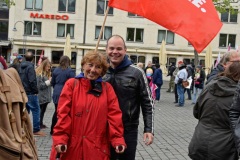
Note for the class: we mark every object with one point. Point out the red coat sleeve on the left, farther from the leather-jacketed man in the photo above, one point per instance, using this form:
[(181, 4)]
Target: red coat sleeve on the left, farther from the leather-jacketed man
[(63, 127)]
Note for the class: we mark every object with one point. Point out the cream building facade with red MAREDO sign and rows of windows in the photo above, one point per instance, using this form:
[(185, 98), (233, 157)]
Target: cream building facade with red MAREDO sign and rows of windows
[(42, 26)]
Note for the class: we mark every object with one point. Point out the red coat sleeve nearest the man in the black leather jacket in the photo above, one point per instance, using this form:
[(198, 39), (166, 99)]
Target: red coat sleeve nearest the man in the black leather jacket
[(114, 118)]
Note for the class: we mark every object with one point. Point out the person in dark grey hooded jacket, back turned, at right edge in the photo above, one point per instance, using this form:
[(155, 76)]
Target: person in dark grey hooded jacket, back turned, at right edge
[(213, 136)]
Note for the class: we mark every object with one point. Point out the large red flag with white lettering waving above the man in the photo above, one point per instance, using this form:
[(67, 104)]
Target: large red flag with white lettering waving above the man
[(195, 20)]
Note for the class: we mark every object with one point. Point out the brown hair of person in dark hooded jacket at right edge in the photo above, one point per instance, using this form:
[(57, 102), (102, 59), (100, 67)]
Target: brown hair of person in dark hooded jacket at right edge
[(233, 71)]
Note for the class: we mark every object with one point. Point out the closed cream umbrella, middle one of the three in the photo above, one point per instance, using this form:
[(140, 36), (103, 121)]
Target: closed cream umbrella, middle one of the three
[(163, 57)]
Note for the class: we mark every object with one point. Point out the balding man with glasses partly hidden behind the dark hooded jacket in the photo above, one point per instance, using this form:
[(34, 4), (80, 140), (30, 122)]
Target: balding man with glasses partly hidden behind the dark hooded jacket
[(224, 63)]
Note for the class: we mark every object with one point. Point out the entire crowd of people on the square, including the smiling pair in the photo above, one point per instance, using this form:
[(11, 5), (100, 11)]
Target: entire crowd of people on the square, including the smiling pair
[(97, 111)]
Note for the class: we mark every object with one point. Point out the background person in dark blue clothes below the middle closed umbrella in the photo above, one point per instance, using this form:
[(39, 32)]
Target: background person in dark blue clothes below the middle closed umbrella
[(157, 79)]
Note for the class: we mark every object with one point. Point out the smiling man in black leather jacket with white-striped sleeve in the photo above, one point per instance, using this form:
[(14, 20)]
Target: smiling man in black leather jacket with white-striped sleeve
[(131, 87)]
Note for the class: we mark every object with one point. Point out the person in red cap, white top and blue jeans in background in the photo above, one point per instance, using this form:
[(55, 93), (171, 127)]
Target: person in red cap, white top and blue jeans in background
[(181, 76)]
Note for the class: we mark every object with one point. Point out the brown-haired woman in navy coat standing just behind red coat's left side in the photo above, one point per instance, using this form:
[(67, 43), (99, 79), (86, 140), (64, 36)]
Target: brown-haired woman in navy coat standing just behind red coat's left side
[(59, 76)]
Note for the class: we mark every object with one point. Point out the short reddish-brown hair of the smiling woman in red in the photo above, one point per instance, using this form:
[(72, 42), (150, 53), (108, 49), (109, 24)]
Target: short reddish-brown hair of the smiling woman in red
[(96, 57)]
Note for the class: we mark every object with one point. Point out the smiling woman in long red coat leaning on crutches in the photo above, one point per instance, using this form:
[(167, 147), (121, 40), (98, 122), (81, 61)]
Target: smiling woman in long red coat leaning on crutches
[(89, 115)]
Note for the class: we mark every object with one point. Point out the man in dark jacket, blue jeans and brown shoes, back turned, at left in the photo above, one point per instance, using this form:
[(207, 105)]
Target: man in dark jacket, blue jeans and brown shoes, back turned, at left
[(29, 81)]
